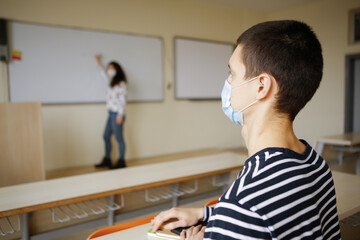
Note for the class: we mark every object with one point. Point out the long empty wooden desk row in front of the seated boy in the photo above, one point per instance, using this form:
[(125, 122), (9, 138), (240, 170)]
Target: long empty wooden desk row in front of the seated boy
[(25, 198)]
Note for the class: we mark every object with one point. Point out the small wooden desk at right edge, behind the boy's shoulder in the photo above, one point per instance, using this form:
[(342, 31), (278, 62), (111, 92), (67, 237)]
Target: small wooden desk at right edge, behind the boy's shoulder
[(344, 142)]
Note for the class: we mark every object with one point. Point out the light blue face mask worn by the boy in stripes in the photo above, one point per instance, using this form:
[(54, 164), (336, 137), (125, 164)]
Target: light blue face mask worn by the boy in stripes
[(235, 116)]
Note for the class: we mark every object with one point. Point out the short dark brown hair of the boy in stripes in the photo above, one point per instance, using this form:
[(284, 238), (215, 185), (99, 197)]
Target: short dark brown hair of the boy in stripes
[(290, 52)]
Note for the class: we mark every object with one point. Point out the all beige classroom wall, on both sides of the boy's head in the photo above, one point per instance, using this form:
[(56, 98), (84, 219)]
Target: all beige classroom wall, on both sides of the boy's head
[(72, 133)]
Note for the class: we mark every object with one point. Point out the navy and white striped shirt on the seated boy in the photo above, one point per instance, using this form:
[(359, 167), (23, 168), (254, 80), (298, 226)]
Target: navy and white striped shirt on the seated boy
[(279, 194)]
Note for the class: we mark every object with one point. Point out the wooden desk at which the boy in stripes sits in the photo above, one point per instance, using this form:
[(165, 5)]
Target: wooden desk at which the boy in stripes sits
[(347, 195)]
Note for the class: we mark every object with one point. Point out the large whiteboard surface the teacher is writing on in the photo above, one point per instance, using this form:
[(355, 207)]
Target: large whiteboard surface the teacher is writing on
[(58, 66)]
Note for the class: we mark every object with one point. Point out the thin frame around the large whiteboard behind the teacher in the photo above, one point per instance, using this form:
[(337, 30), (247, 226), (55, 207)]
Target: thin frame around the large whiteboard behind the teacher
[(88, 29)]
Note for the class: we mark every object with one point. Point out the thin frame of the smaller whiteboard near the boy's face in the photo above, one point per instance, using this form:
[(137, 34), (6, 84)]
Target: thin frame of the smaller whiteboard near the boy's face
[(175, 68)]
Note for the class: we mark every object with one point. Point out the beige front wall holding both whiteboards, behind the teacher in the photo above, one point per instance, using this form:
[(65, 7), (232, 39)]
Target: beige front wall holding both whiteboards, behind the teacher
[(73, 133)]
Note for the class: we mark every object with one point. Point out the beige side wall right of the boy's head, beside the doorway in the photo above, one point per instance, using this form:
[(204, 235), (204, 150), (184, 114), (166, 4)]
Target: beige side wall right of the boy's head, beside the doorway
[(324, 114)]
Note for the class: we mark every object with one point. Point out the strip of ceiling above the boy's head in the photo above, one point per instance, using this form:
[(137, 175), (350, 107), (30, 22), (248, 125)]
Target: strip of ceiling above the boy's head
[(260, 5)]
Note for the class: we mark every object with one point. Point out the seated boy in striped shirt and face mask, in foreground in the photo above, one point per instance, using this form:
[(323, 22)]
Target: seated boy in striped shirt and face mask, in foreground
[(285, 190)]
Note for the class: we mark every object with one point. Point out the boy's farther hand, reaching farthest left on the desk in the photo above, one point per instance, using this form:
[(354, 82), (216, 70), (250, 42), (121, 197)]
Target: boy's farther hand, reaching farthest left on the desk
[(177, 217)]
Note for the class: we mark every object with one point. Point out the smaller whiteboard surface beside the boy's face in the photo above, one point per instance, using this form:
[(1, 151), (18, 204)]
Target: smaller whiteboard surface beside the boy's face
[(200, 68)]
